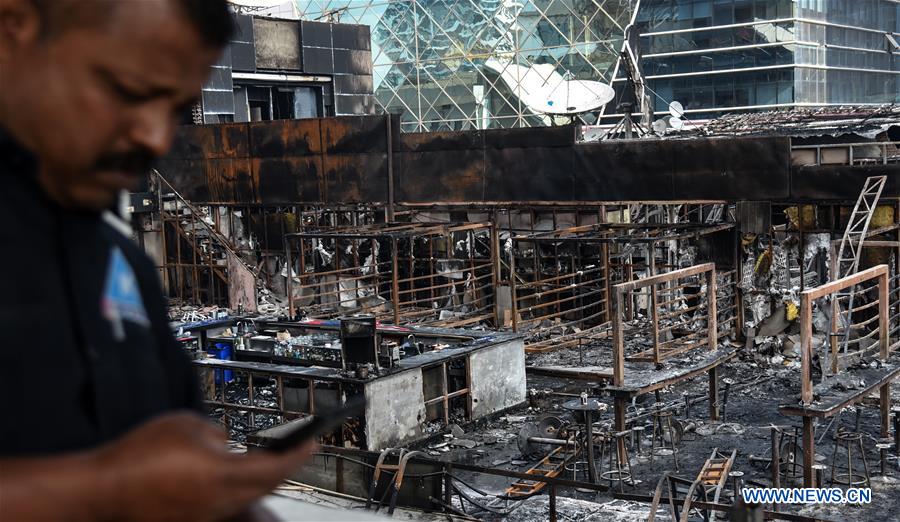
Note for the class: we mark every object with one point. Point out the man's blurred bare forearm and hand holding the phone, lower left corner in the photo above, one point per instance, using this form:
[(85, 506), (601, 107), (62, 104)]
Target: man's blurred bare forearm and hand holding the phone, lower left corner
[(175, 467)]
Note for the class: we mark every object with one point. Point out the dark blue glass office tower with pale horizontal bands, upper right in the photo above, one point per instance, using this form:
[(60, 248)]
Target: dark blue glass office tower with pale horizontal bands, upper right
[(717, 56)]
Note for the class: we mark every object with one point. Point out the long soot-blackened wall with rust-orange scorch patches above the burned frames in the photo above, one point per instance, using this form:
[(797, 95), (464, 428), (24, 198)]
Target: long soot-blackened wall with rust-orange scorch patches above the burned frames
[(344, 160)]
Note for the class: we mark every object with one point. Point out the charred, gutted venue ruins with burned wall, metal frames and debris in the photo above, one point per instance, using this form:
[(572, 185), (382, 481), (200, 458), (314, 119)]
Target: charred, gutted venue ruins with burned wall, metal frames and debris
[(547, 326)]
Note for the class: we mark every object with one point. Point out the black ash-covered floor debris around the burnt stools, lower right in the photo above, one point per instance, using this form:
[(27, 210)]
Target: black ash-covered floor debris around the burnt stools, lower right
[(758, 386)]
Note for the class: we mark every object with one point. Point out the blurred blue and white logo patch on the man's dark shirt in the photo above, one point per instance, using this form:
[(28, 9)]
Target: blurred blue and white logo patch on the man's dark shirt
[(122, 296)]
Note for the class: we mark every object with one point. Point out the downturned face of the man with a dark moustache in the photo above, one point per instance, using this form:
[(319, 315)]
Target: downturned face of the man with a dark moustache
[(97, 103)]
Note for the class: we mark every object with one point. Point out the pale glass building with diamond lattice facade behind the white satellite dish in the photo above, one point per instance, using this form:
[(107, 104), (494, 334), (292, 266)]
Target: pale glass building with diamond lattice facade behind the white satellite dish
[(429, 55)]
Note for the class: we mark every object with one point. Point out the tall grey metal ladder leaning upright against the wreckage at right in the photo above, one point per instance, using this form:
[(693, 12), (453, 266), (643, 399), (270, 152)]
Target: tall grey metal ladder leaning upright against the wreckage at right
[(852, 246)]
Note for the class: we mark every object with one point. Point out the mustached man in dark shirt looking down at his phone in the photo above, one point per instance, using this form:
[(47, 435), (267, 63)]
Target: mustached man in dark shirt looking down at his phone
[(101, 413)]
